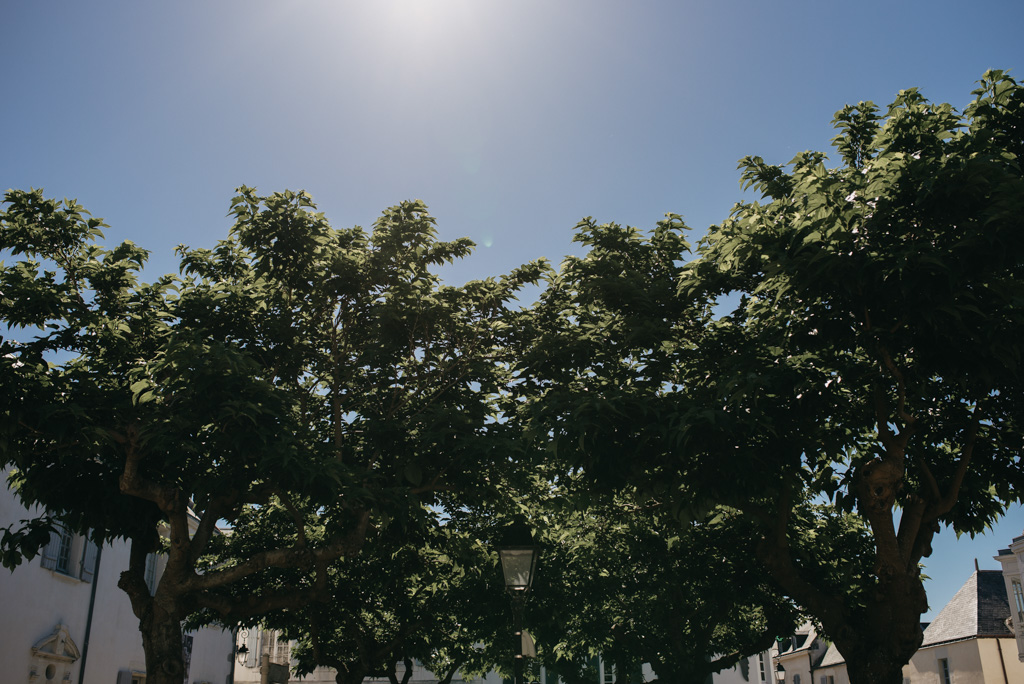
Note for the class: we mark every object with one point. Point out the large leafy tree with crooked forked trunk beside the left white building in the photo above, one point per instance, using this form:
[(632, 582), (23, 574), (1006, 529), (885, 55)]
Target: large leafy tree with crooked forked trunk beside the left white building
[(327, 371)]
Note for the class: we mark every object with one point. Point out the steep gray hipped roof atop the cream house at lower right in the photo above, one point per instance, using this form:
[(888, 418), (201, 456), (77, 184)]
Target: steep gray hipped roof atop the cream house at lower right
[(978, 610)]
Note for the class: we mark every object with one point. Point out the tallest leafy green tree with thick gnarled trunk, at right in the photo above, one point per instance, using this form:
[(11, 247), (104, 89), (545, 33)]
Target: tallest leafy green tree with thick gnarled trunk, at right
[(855, 339)]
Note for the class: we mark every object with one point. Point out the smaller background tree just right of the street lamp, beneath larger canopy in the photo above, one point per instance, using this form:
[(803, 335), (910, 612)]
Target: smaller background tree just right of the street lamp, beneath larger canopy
[(627, 582)]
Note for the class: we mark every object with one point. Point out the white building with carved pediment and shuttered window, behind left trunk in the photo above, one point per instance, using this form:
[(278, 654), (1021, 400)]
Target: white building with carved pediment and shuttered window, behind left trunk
[(65, 621)]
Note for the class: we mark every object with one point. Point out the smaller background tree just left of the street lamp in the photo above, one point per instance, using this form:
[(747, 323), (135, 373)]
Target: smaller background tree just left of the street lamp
[(425, 593)]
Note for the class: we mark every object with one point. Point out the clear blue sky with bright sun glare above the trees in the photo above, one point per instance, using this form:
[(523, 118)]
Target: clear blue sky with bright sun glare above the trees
[(511, 120)]
